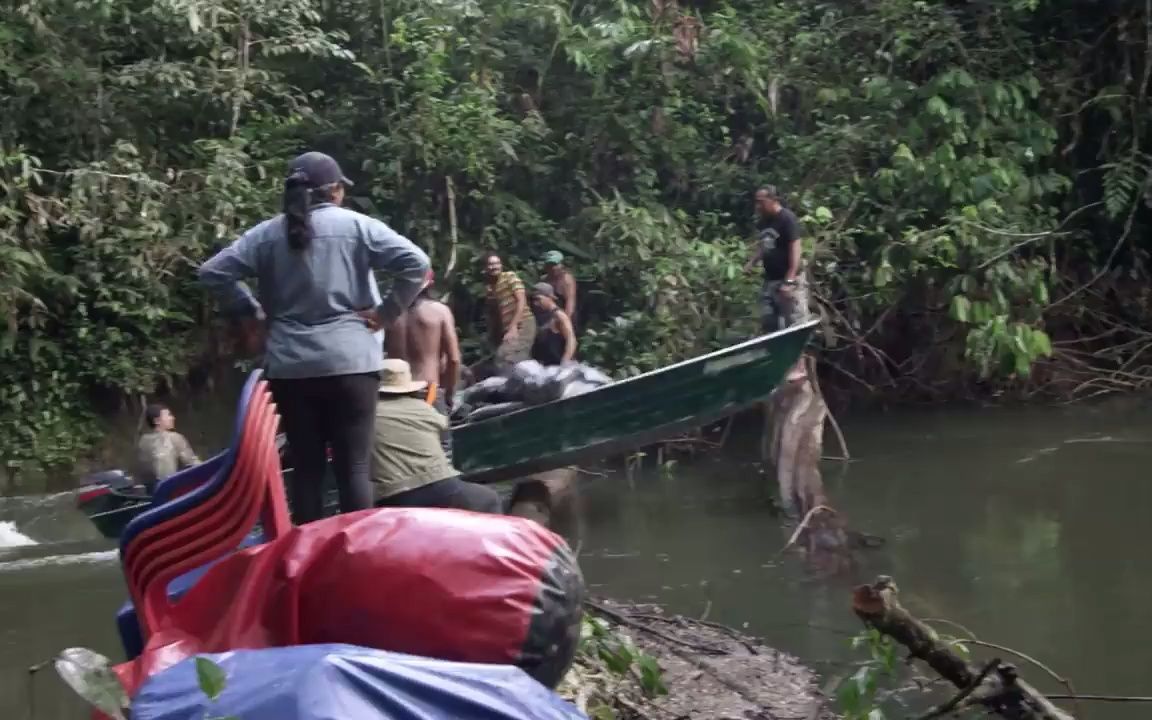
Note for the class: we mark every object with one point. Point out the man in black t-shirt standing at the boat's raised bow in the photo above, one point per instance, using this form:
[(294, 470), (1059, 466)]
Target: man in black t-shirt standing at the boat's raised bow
[(784, 298)]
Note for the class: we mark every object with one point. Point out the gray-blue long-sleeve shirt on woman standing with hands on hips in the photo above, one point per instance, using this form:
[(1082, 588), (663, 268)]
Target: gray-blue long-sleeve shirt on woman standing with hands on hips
[(312, 298)]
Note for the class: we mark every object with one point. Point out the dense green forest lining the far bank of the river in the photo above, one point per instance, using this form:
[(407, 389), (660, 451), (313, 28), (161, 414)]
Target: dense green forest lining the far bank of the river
[(974, 176)]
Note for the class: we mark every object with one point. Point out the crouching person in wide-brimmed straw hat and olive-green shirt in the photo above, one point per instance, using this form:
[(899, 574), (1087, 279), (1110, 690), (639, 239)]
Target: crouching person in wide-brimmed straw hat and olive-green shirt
[(410, 466)]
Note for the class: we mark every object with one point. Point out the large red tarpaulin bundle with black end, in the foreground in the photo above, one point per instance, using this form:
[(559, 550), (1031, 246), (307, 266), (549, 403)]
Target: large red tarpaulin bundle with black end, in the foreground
[(431, 582)]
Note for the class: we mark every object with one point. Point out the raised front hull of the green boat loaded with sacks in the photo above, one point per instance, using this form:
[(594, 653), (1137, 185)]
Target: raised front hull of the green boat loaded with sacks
[(628, 414)]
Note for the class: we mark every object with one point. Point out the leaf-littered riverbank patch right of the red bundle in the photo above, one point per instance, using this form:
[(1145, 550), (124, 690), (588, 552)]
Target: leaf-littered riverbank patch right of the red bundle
[(640, 663)]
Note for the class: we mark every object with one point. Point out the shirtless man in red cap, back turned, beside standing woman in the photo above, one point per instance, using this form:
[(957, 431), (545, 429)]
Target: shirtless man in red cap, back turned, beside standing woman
[(426, 336)]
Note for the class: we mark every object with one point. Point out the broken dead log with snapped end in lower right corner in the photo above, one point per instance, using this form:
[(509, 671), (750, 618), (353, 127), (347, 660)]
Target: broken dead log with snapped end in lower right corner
[(995, 688)]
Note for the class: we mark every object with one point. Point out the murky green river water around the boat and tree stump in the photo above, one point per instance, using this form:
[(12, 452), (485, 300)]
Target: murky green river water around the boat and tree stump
[(1026, 526)]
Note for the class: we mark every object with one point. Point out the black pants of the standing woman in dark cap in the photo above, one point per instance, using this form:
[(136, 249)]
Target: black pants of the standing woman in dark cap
[(319, 413)]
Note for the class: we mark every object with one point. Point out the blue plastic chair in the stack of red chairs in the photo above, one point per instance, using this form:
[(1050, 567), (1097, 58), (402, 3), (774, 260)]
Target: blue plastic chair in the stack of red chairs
[(206, 480)]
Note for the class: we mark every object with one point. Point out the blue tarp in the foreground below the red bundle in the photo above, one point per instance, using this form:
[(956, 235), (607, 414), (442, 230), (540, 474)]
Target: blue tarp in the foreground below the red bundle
[(345, 683)]
